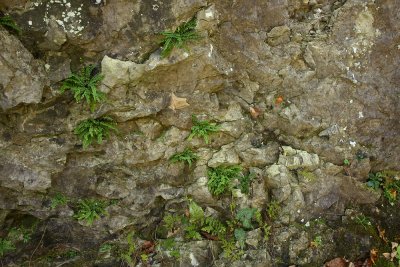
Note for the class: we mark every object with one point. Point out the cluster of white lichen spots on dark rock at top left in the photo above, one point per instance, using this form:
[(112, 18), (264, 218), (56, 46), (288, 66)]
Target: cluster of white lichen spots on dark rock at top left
[(67, 16)]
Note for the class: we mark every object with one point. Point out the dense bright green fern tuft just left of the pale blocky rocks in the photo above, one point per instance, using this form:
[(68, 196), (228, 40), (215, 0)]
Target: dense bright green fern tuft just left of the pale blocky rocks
[(220, 178)]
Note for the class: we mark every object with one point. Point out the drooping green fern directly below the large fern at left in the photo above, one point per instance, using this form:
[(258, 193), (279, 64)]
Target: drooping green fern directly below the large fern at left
[(95, 129)]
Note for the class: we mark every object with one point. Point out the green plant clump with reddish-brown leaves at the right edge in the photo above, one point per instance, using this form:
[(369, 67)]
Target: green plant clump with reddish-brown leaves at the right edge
[(388, 181)]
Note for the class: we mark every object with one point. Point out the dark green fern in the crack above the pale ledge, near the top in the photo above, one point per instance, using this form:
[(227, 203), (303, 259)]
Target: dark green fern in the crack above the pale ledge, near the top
[(178, 38)]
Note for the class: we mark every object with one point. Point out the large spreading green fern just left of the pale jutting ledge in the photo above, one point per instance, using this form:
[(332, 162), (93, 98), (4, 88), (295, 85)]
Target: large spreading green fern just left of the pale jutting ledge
[(84, 86)]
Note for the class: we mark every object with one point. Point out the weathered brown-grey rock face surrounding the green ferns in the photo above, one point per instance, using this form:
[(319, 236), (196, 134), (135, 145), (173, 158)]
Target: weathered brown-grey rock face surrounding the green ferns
[(294, 87)]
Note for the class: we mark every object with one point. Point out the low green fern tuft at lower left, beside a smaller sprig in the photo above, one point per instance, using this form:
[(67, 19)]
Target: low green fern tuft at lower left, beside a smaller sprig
[(90, 210)]
